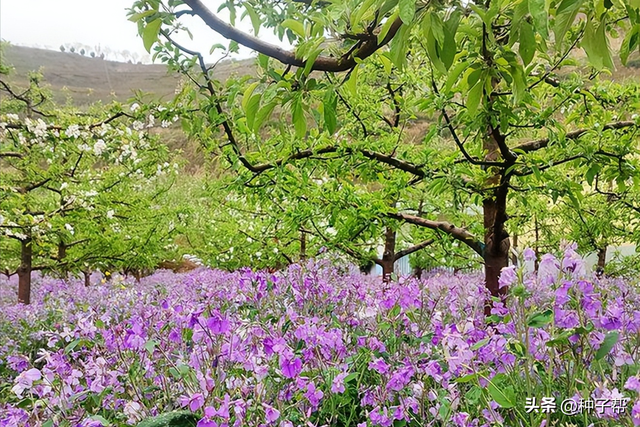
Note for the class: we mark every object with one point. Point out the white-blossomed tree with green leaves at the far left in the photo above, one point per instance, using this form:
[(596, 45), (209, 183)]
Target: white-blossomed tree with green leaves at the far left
[(77, 187)]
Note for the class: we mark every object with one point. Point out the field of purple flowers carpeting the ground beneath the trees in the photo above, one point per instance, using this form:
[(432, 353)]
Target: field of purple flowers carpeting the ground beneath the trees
[(320, 344)]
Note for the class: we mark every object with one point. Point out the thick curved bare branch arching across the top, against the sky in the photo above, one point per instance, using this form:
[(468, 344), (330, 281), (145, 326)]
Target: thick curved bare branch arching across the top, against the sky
[(322, 63)]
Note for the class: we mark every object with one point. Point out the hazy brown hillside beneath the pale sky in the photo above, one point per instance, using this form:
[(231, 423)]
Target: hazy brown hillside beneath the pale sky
[(86, 80)]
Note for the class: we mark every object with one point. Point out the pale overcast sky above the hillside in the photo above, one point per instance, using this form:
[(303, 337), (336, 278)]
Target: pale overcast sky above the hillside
[(94, 23)]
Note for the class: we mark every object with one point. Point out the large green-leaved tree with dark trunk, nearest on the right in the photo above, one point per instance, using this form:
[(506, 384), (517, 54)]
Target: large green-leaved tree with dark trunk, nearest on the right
[(498, 79)]
